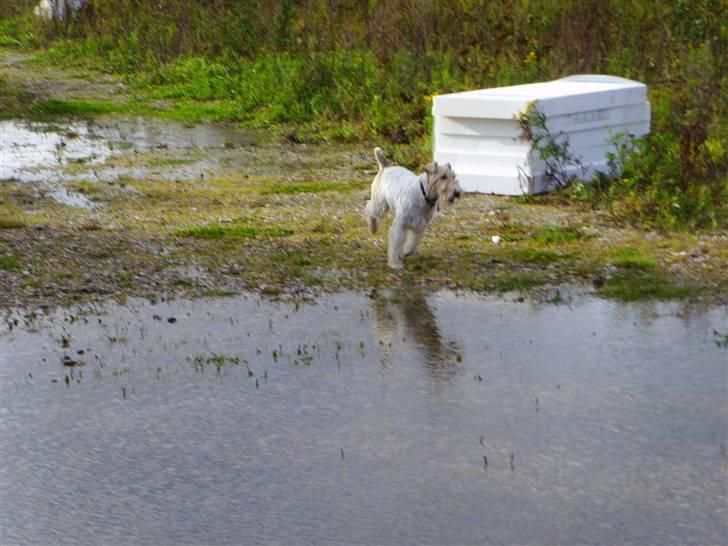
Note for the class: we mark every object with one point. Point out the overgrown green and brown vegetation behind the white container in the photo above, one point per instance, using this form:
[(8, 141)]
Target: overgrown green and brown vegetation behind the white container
[(368, 69)]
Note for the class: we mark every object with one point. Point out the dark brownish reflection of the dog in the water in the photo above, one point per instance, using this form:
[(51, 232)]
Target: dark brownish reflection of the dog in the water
[(402, 319)]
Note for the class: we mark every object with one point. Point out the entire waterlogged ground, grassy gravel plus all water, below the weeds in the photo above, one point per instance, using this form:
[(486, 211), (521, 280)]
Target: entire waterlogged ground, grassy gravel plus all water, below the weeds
[(201, 343)]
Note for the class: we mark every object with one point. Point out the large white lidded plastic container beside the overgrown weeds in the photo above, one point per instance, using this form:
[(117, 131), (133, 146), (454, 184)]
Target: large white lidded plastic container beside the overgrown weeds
[(479, 133)]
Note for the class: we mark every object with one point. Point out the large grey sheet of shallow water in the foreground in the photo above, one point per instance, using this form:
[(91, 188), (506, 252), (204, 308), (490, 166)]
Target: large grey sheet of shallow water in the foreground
[(358, 420)]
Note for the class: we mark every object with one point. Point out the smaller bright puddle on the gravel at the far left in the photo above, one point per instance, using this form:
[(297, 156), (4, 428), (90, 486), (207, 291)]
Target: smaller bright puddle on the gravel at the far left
[(40, 152)]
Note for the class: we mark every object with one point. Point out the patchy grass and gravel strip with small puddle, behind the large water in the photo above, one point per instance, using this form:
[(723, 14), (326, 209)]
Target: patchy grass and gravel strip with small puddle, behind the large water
[(112, 205)]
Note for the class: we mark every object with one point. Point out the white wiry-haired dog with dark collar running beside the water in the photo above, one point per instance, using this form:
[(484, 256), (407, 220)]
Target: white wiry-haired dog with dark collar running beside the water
[(412, 199)]
